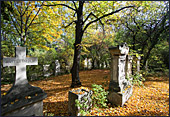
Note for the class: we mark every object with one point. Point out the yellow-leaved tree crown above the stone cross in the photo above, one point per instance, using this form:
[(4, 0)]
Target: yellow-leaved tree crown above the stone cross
[(30, 24)]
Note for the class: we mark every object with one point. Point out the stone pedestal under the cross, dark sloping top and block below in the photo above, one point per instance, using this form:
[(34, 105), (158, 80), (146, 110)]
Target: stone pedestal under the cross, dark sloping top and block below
[(23, 100)]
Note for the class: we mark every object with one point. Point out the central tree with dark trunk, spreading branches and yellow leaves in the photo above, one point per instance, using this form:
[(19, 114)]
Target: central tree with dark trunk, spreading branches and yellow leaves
[(83, 23)]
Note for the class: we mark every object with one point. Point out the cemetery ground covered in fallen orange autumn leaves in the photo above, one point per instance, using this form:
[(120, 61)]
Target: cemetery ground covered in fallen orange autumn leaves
[(150, 100)]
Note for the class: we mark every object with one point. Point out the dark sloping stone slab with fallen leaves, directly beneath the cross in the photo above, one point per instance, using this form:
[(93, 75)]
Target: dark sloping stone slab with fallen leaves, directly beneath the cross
[(20, 93)]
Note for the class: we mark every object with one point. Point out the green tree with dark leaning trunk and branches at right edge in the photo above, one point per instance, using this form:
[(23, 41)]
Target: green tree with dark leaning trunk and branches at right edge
[(144, 28)]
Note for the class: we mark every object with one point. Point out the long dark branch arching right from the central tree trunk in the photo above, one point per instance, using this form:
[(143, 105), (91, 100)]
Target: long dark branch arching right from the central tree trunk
[(106, 16)]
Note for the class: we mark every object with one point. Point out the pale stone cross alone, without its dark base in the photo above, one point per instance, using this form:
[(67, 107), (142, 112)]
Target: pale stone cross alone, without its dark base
[(20, 61)]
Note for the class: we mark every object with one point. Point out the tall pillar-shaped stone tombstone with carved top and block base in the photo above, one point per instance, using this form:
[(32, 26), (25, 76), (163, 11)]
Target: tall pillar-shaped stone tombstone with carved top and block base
[(120, 89)]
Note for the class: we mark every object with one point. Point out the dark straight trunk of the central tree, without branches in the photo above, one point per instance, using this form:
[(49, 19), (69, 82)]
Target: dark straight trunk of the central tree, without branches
[(77, 47)]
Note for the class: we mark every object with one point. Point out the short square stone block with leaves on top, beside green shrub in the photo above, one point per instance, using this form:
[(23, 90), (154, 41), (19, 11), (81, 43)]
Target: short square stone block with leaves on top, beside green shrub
[(83, 96)]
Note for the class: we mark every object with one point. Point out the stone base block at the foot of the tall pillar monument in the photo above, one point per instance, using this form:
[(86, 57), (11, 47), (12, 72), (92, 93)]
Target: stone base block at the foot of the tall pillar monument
[(119, 98)]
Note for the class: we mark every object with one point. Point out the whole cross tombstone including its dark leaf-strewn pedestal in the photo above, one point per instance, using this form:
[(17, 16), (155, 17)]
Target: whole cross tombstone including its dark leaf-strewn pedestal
[(22, 99)]
